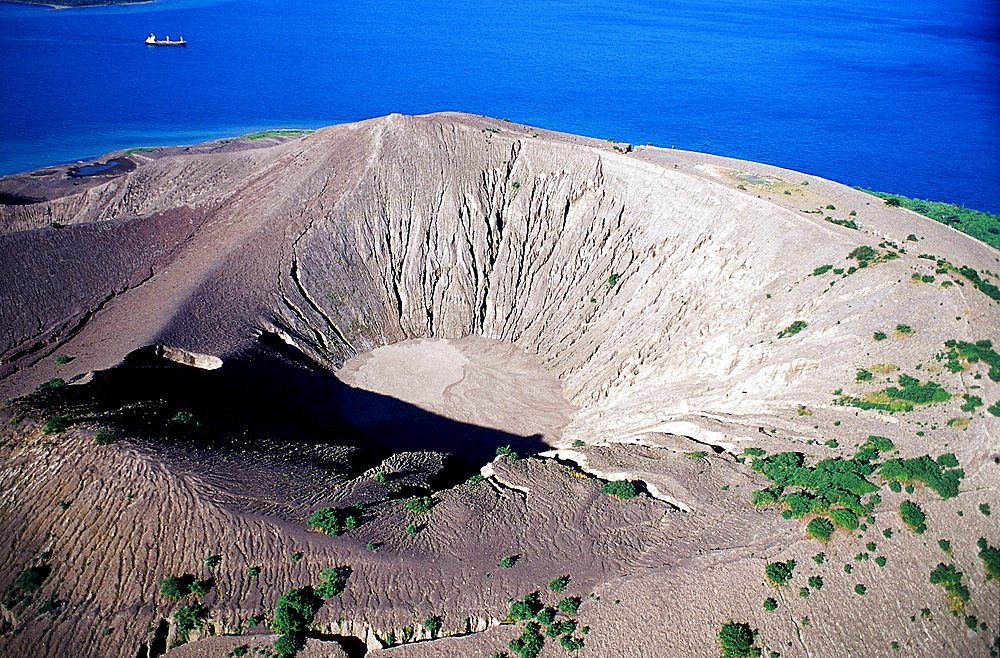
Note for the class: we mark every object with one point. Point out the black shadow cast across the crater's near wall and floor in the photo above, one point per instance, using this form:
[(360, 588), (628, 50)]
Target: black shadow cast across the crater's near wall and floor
[(272, 396)]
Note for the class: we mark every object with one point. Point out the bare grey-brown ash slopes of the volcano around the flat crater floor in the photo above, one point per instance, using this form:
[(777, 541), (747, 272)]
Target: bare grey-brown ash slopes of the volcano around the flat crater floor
[(652, 284)]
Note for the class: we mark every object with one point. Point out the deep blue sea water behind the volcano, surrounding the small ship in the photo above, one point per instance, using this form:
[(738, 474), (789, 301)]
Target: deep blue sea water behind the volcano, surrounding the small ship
[(896, 96)]
